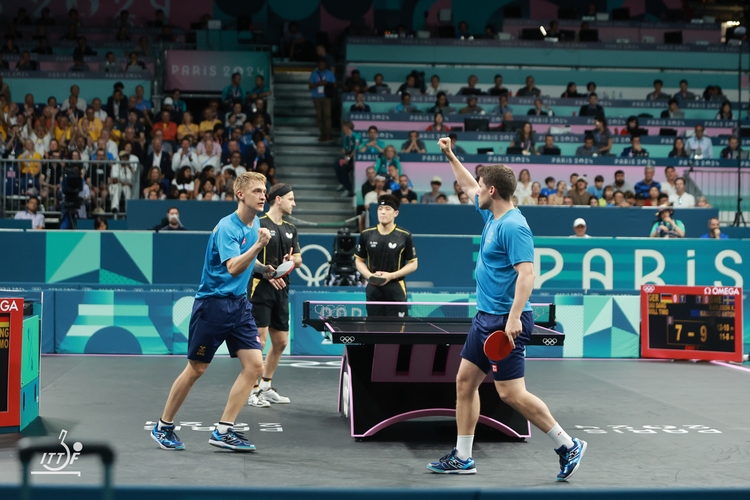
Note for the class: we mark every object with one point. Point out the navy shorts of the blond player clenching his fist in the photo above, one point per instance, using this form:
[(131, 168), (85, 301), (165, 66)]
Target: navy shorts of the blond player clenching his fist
[(221, 319)]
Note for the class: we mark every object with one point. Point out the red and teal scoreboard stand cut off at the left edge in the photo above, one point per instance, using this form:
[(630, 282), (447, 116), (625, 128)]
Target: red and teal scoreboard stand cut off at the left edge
[(19, 366)]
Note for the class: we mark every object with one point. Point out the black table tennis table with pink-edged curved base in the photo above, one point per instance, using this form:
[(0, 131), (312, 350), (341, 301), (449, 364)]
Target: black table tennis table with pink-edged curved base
[(399, 368)]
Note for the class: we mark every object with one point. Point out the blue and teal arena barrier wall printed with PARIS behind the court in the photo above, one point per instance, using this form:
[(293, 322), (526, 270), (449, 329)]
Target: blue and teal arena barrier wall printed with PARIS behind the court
[(132, 292)]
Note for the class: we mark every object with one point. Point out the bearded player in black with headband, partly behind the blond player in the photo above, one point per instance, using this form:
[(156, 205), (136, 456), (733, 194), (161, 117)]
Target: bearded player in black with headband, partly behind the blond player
[(270, 299)]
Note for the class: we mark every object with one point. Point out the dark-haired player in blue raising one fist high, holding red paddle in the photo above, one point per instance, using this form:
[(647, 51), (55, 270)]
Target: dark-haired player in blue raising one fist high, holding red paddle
[(505, 278)]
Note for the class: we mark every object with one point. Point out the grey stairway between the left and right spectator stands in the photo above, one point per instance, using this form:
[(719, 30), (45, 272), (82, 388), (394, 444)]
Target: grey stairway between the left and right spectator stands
[(301, 160)]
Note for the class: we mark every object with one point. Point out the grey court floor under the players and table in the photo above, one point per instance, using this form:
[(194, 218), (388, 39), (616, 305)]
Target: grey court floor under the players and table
[(112, 398)]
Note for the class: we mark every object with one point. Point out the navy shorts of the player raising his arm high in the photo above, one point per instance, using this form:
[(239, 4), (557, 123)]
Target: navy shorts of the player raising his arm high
[(482, 326)]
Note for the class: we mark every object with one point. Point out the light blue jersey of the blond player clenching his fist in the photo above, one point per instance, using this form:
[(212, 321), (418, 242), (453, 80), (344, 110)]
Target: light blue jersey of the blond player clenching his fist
[(230, 238)]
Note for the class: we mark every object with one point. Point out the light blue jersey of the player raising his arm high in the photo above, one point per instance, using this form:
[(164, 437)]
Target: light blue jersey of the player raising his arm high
[(505, 242)]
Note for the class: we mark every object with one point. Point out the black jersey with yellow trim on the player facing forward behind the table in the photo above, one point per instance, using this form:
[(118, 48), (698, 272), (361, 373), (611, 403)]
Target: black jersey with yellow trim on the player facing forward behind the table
[(386, 252)]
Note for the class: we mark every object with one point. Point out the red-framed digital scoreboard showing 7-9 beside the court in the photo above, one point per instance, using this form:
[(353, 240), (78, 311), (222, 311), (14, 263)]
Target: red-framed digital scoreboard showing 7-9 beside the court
[(691, 322)]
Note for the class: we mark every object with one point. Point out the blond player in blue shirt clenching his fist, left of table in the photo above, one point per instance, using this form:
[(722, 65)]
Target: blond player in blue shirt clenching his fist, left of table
[(222, 313)]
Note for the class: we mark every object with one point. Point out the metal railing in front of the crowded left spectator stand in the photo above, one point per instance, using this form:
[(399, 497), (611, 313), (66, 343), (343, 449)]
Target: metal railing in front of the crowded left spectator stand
[(47, 179)]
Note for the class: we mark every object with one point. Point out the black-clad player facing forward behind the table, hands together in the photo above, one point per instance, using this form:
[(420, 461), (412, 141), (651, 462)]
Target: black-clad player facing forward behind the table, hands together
[(388, 251)]
